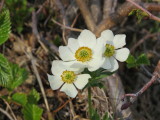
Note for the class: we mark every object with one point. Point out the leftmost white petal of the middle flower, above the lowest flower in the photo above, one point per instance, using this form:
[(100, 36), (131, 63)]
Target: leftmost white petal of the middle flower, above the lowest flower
[(66, 54)]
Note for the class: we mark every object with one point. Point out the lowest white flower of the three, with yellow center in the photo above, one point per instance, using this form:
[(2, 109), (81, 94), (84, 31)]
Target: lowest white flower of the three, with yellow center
[(68, 78)]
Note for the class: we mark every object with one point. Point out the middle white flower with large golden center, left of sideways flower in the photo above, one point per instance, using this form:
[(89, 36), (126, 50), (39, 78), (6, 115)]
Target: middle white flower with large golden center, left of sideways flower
[(82, 52)]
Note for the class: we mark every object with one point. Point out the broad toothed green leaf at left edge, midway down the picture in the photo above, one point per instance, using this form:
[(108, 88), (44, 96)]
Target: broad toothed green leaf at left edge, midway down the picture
[(11, 75)]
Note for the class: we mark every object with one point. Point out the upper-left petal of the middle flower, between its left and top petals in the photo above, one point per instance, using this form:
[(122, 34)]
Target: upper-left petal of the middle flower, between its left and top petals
[(73, 44)]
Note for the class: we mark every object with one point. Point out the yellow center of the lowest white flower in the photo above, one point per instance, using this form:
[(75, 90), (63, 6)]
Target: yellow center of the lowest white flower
[(68, 76)]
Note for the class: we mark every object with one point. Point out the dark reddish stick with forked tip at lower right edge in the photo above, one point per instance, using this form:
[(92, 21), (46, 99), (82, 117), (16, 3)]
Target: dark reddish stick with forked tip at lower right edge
[(133, 97)]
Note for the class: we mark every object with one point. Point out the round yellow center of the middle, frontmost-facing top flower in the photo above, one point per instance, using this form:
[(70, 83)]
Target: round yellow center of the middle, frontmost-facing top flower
[(83, 54)]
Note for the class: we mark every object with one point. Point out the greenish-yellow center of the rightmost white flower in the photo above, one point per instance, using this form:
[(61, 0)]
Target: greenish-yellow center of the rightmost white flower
[(109, 50)]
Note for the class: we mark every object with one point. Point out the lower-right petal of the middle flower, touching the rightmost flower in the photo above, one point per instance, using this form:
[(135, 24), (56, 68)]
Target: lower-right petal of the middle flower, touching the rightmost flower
[(95, 63)]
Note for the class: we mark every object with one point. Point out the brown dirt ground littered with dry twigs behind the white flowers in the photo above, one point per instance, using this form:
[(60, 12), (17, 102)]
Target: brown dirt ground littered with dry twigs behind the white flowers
[(50, 23)]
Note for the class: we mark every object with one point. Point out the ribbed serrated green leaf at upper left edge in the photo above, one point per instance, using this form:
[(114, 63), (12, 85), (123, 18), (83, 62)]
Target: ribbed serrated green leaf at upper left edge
[(5, 26)]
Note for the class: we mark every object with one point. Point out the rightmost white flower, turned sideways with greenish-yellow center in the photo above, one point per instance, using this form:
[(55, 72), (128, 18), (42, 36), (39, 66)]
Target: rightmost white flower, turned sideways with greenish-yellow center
[(110, 48)]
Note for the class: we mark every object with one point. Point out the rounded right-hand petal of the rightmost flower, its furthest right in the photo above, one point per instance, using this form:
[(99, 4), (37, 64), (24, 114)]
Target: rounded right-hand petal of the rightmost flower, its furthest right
[(122, 54)]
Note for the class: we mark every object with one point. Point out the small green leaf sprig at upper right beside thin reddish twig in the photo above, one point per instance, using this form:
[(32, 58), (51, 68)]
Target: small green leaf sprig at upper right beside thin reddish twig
[(139, 14)]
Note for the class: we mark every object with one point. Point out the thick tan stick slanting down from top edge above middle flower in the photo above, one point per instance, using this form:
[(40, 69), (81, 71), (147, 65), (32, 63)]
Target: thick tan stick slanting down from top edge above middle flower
[(86, 14)]
